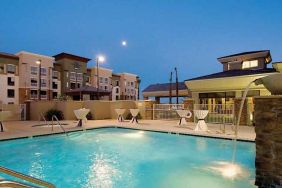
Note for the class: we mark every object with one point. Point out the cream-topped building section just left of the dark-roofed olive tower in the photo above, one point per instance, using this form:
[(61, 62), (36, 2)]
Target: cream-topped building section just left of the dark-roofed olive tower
[(35, 72)]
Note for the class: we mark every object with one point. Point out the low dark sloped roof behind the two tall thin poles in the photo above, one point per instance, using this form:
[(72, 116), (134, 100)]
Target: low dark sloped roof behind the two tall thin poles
[(164, 87)]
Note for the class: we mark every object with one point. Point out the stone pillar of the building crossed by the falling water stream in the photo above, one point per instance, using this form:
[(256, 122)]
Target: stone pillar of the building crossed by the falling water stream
[(244, 115)]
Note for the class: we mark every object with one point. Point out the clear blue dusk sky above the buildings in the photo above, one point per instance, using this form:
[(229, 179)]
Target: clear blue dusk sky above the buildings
[(161, 34)]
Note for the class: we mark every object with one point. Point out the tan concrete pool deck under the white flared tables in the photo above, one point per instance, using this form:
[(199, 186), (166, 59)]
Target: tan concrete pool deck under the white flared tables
[(21, 129)]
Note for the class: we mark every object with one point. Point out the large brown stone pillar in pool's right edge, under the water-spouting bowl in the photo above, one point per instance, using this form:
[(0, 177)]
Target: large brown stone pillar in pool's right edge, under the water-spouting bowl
[(268, 128)]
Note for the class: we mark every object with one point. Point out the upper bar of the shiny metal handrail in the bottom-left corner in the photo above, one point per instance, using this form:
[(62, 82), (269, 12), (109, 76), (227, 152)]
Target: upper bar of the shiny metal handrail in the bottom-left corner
[(25, 177)]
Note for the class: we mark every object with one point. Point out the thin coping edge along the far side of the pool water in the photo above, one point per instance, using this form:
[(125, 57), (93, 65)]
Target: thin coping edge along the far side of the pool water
[(130, 128)]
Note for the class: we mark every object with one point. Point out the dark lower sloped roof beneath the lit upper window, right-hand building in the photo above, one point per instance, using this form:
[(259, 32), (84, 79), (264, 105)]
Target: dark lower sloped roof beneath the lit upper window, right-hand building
[(233, 73)]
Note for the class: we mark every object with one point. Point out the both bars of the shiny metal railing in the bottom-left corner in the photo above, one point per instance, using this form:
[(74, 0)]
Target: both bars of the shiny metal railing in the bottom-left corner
[(7, 183)]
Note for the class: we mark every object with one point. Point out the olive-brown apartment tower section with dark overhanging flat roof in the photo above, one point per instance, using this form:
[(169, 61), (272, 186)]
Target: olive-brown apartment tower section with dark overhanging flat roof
[(73, 71)]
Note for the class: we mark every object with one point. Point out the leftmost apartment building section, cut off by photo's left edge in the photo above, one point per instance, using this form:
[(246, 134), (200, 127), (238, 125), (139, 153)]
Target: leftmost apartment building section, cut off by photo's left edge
[(9, 78)]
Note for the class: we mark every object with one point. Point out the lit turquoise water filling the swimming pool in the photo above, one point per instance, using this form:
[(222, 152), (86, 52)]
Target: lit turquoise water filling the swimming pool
[(113, 157)]
